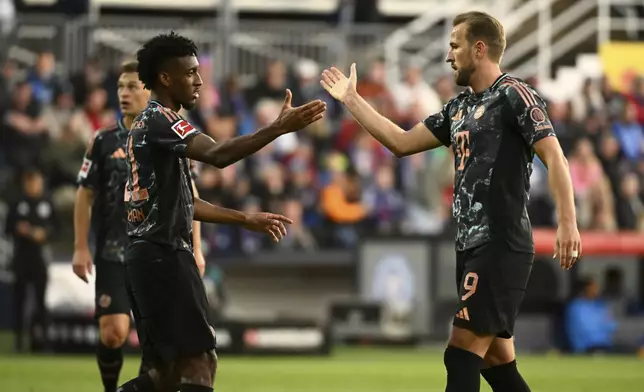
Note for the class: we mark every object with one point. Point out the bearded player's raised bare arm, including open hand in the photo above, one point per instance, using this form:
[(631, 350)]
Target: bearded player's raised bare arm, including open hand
[(398, 141)]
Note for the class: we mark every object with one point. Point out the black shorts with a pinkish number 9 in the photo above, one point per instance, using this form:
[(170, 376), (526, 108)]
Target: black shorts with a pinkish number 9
[(491, 280)]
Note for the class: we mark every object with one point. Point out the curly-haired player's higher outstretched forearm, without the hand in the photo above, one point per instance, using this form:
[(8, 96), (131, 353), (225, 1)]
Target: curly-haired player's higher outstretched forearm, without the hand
[(228, 152)]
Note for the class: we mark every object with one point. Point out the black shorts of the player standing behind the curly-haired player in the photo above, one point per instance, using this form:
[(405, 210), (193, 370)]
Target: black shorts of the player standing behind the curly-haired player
[(110, 289)]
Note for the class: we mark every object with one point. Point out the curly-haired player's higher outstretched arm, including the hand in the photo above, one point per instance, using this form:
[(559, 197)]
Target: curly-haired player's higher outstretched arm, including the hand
[(204, 149)]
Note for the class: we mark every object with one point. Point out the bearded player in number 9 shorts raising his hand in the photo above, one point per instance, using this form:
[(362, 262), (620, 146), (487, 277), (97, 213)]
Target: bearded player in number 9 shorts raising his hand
[(494, 128)]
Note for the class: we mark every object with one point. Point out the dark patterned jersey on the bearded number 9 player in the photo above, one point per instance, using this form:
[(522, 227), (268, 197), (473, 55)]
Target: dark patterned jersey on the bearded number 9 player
[(492, 134)]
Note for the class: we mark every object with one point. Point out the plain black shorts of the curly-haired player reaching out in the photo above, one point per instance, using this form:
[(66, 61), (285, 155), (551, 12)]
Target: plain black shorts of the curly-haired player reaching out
[(169, 302)]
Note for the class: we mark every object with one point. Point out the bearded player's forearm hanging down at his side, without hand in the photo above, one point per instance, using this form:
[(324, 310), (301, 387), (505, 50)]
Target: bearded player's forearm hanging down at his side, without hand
[(561, 187)]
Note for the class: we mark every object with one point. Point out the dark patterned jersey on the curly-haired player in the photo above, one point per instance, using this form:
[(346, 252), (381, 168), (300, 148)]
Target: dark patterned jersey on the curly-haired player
[(159, 196)]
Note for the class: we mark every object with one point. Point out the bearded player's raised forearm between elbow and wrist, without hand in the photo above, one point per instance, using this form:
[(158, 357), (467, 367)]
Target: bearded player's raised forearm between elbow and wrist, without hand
[(380, 127)]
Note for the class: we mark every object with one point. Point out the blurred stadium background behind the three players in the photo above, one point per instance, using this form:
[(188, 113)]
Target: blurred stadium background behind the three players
[(370, 258)]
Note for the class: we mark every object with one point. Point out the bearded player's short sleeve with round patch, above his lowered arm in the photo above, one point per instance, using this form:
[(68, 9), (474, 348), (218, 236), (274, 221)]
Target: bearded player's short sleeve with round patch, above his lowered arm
[(530, 113)]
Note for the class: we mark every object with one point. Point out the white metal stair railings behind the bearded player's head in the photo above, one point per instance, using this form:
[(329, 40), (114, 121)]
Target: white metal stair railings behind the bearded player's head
[(535, 53)]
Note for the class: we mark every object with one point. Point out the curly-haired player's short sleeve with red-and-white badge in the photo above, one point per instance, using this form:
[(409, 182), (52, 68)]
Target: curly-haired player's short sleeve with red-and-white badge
[(171, 132)]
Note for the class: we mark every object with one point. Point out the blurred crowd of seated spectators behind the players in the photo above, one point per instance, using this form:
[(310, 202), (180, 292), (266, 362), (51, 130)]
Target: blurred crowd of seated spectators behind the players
[(333, 179)]
